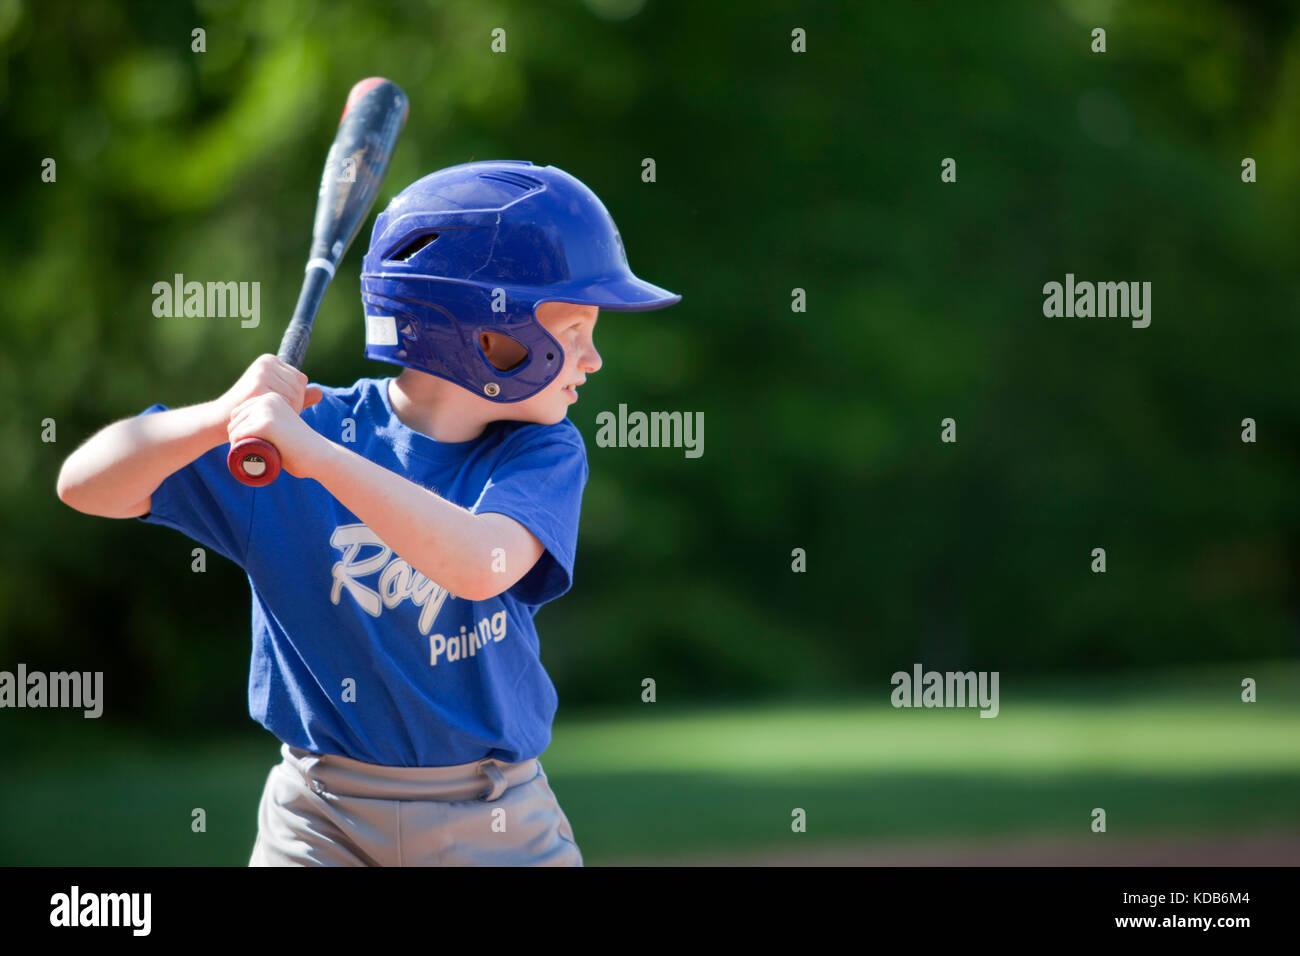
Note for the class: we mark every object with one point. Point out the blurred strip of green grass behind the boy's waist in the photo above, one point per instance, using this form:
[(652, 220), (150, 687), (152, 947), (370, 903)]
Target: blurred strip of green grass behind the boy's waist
[(1162, 755)]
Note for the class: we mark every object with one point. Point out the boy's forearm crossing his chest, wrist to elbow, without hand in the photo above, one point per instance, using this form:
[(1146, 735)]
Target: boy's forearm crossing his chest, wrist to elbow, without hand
[(439, 539)]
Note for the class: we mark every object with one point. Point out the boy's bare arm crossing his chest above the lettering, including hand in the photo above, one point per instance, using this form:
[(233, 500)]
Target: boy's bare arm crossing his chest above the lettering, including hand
[(445, 543)]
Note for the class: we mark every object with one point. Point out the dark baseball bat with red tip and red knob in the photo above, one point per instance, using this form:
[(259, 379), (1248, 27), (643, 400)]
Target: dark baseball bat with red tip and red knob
[(358, 161)]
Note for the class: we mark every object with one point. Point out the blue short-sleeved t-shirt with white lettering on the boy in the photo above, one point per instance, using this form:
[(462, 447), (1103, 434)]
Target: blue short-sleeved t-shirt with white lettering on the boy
[(439, 680)]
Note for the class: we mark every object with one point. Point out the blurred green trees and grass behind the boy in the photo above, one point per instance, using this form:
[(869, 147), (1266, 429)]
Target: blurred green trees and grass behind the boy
[(775, 171)]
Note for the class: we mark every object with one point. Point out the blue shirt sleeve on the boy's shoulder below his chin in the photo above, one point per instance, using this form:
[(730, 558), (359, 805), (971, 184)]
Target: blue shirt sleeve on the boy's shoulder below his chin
[(541, 488)]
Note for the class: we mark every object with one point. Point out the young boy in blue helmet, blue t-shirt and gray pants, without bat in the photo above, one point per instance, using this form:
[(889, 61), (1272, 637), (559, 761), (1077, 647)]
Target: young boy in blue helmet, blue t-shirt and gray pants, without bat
[(418, 526)]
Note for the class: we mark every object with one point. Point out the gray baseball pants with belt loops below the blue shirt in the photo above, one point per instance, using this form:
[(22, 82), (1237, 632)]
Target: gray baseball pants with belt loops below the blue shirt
[(330, 811)]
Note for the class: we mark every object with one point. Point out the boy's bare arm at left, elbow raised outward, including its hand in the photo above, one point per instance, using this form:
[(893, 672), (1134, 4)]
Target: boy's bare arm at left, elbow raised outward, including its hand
[(116, 473)]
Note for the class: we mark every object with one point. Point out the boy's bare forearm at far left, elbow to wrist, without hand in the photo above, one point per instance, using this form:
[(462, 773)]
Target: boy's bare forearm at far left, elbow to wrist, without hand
[(124, 464)]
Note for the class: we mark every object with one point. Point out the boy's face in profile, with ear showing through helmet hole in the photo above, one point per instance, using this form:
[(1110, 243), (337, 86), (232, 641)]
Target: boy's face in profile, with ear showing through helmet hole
[(574, 328)]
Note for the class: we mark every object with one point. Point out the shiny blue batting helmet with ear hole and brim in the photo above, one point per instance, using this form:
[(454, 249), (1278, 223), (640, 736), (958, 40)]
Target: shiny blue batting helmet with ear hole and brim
[(476, 249)]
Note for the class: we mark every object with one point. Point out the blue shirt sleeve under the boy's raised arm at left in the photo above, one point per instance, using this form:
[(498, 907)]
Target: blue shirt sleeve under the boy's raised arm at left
[(206, 503)]
